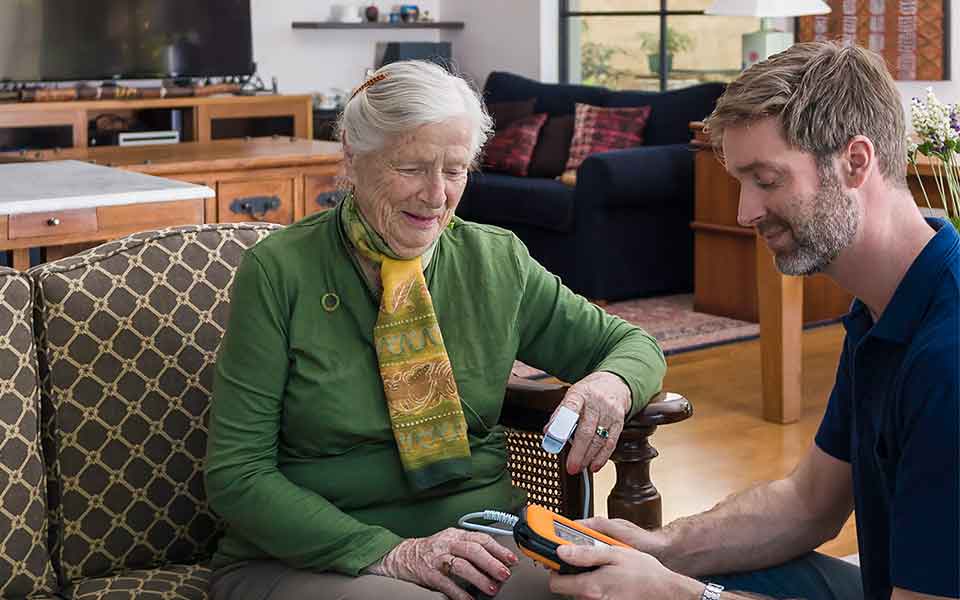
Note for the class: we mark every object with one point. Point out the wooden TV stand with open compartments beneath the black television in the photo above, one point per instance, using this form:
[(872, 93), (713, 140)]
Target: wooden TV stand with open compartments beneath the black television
[(204, 118)]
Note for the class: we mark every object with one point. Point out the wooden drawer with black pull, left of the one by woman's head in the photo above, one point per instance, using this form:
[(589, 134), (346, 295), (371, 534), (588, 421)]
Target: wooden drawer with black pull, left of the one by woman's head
[(260, 200)]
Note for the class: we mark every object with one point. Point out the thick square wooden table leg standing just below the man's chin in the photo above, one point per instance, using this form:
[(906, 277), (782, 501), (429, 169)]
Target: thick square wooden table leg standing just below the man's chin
[(780, 300)]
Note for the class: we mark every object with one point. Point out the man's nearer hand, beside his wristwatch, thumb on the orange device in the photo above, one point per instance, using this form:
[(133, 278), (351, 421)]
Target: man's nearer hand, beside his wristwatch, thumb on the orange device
[(623, 575)]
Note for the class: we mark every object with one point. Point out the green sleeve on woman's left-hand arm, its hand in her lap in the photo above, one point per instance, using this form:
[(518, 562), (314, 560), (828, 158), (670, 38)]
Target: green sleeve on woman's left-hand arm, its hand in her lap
[(244, 484)]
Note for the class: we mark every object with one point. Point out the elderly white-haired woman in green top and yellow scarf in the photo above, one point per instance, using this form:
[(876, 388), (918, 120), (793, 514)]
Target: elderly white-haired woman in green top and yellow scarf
[(360, 382)]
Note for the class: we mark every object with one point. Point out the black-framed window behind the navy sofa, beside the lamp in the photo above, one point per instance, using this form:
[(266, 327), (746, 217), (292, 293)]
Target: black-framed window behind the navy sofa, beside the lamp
[(648, 44)]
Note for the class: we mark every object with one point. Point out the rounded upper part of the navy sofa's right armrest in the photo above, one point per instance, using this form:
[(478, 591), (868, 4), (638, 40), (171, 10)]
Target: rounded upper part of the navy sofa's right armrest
[(651, 177)]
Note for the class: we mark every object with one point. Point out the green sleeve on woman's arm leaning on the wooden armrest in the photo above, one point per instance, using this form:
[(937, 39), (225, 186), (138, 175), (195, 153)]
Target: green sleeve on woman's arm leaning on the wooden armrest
[(564, 334)]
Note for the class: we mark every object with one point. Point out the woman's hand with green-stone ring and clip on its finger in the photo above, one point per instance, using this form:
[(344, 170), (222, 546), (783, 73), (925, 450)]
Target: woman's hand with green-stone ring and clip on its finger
[(602, 400)]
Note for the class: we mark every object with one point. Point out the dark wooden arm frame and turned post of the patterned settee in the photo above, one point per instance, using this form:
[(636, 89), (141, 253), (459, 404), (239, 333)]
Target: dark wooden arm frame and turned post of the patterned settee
[(528, 405)]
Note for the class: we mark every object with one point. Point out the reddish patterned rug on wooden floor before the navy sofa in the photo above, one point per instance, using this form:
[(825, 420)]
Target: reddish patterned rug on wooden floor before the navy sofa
[(675, 325)]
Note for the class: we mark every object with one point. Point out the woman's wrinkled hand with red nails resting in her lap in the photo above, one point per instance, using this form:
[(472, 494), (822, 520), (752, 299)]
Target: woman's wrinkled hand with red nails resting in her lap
[(438, 561)]
